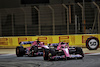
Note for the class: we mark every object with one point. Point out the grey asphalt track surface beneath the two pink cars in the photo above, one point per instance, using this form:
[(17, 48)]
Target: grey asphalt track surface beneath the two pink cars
[(10, 60)]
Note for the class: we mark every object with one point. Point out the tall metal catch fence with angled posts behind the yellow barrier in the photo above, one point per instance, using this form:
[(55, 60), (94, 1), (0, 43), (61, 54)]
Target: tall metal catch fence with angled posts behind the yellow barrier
[(56, 19)]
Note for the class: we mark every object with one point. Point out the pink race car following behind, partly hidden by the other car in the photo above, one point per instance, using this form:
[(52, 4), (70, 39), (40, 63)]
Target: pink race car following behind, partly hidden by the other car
[(36, 49)]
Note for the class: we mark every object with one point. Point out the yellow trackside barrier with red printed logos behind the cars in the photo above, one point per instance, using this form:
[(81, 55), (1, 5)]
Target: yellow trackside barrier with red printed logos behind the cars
[(73, 40)]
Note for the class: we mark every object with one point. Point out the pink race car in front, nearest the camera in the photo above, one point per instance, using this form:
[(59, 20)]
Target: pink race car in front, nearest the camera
[(62, 51)]
